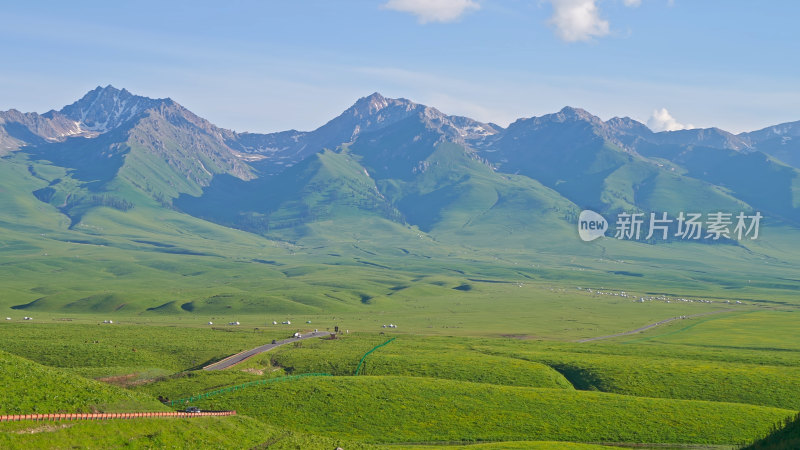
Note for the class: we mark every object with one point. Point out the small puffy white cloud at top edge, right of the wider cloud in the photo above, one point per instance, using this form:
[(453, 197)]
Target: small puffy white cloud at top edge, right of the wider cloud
[(577, 20)]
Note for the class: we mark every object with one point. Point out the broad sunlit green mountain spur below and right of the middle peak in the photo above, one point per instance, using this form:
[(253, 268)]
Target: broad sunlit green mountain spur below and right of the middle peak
[(460, 200)]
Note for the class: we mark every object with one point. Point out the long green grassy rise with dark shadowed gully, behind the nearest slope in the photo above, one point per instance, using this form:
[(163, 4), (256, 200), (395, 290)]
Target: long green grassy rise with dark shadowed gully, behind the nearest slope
[(698, 372)]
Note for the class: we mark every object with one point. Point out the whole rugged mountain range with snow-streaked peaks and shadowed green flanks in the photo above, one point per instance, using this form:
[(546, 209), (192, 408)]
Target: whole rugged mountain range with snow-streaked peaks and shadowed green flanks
[(399, 160)]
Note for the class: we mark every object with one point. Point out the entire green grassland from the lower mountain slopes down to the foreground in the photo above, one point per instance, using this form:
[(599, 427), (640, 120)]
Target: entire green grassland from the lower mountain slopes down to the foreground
[(485, 347)]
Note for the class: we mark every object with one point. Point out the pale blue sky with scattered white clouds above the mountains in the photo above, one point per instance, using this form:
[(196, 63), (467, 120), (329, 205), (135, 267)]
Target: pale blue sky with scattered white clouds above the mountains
[(274, 65)]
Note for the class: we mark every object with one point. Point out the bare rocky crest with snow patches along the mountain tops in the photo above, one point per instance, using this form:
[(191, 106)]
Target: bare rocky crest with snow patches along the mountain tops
[(105, 108)]
